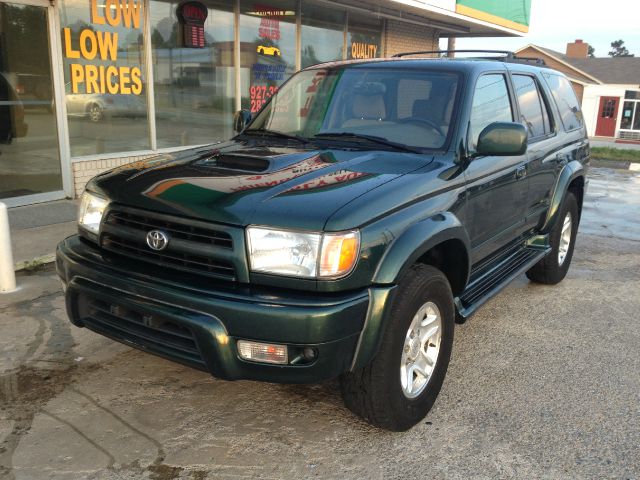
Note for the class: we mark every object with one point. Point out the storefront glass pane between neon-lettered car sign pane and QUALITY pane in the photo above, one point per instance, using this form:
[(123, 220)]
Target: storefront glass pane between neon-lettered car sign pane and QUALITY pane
[(322, 34)]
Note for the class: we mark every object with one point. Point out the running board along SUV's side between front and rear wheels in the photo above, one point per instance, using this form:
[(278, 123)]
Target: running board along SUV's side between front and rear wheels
[(490, 283)]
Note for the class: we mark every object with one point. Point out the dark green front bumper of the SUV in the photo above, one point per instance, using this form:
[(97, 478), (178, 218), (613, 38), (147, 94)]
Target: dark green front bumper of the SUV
[(193, 324)]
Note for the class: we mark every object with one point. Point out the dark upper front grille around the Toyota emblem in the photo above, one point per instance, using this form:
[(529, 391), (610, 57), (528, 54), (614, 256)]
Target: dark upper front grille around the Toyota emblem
[(193, 246)]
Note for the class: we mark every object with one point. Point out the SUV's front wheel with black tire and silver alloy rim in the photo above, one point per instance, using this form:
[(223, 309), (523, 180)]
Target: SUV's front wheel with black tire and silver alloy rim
[(400, 385)]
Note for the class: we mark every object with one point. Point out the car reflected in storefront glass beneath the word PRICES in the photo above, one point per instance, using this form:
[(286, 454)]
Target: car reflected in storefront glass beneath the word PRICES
[(97, 106)]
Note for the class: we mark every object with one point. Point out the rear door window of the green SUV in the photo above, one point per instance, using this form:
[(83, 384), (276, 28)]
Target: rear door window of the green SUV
[(533, 111)]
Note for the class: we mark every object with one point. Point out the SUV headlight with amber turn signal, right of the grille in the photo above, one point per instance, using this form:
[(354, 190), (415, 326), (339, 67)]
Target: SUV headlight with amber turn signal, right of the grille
[(299, 254)]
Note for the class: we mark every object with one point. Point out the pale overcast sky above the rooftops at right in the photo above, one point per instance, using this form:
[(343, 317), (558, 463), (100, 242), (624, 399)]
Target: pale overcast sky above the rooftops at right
[(554, 23)]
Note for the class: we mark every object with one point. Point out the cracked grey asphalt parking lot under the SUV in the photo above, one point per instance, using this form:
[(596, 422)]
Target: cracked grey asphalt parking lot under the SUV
[(544, 383)]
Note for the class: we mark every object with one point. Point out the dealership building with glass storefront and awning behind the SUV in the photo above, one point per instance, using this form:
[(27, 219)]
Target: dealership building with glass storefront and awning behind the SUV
[(88, 85)]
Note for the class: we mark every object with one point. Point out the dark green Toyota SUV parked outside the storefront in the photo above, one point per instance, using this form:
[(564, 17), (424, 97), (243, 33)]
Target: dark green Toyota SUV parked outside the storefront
[(363, 211)]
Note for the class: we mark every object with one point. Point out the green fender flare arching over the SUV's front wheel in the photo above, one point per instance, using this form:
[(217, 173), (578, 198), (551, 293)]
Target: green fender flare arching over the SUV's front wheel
[(414, 242)]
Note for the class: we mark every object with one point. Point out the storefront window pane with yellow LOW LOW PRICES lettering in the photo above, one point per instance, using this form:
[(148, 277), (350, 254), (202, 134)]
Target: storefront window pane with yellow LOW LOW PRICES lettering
[(102, 48)]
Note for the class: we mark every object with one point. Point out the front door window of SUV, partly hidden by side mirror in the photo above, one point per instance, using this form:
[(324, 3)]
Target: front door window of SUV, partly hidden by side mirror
[(490, 104)]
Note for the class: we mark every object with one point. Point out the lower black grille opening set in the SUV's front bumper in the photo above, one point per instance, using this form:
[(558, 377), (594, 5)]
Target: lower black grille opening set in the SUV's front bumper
[(145, 330)]
